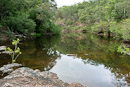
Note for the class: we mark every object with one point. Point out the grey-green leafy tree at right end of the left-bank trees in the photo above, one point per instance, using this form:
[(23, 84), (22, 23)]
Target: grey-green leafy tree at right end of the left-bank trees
[(43, 23)]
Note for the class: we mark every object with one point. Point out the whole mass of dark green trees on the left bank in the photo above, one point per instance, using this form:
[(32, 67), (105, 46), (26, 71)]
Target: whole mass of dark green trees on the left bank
[(28, 17)]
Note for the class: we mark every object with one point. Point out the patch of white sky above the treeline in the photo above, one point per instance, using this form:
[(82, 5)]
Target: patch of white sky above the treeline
[(61, 3)]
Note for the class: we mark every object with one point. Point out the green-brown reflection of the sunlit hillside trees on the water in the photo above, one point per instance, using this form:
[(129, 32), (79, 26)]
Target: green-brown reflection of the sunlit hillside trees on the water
[(96, 51)]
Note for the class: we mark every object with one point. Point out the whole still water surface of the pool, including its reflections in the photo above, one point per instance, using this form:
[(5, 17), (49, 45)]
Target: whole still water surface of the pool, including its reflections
[(87, 59)]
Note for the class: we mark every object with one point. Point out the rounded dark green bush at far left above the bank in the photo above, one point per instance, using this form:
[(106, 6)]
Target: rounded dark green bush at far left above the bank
[(20, 24)]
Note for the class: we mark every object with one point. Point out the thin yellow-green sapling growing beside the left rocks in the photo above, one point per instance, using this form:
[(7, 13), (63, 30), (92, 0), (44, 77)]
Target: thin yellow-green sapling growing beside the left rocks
[(14, 52)]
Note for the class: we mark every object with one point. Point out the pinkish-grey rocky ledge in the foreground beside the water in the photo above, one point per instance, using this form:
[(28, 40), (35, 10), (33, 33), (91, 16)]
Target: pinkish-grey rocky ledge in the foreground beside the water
[(26, 77)]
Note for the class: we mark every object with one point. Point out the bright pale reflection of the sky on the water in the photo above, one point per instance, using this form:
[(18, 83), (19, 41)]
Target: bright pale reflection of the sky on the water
[(75, 70)]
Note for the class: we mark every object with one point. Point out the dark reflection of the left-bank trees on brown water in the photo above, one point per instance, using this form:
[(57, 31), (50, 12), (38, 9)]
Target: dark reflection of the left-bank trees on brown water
[(40, 53)]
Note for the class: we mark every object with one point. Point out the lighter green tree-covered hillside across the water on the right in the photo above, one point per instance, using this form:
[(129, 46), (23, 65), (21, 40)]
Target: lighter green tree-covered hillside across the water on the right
[(109, 17)]
